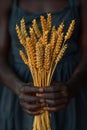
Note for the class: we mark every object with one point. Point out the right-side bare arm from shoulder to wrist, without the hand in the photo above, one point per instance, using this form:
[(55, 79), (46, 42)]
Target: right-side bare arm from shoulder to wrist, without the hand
[(79, 78)]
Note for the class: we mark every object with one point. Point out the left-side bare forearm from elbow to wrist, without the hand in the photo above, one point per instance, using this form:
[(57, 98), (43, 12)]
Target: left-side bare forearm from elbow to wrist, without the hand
[(8, 77)]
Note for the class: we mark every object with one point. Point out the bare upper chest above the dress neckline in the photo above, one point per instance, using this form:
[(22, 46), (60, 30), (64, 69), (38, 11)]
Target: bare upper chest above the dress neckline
[(43, 6)]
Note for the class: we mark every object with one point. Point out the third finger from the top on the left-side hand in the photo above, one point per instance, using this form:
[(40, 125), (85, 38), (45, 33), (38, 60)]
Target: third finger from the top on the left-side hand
[(32, 107)]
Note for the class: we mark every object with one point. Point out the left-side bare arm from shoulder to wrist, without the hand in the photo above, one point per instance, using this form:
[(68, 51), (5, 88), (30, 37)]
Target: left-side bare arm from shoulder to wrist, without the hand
[(7, 76)]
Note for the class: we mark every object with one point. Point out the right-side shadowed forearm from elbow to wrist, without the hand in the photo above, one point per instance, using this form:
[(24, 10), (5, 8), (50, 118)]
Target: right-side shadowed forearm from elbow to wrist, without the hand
[(79, 77)]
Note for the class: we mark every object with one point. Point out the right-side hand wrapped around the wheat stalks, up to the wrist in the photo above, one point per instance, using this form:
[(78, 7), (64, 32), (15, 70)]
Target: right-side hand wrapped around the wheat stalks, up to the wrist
[(55, 97)]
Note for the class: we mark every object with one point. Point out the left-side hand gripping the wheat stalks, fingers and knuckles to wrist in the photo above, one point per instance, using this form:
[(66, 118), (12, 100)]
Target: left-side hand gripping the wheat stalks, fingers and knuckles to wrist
[(28, 99)]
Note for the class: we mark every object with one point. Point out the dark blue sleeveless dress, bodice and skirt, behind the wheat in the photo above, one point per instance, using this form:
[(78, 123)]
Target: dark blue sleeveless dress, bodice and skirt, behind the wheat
[(74, 116)]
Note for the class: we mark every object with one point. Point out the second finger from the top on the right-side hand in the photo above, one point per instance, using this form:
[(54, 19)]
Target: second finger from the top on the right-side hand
[(51, 95)]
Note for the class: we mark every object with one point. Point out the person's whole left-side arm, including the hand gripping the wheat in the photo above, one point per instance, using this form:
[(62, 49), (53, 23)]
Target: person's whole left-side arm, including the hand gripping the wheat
[(8, 76)]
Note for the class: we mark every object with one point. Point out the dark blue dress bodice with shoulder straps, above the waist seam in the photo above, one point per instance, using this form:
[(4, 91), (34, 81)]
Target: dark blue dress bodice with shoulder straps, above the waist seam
[(66, 15)]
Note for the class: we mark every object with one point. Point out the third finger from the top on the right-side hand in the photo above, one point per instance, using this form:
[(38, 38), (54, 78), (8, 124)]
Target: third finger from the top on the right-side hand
[(53, 103)]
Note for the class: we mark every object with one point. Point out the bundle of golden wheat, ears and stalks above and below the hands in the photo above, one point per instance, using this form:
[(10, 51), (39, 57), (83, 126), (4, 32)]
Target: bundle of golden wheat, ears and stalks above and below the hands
[(44, 51)]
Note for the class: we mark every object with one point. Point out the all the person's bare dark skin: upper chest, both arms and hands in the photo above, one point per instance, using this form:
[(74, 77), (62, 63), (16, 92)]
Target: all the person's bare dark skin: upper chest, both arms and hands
[(58, 95)]
